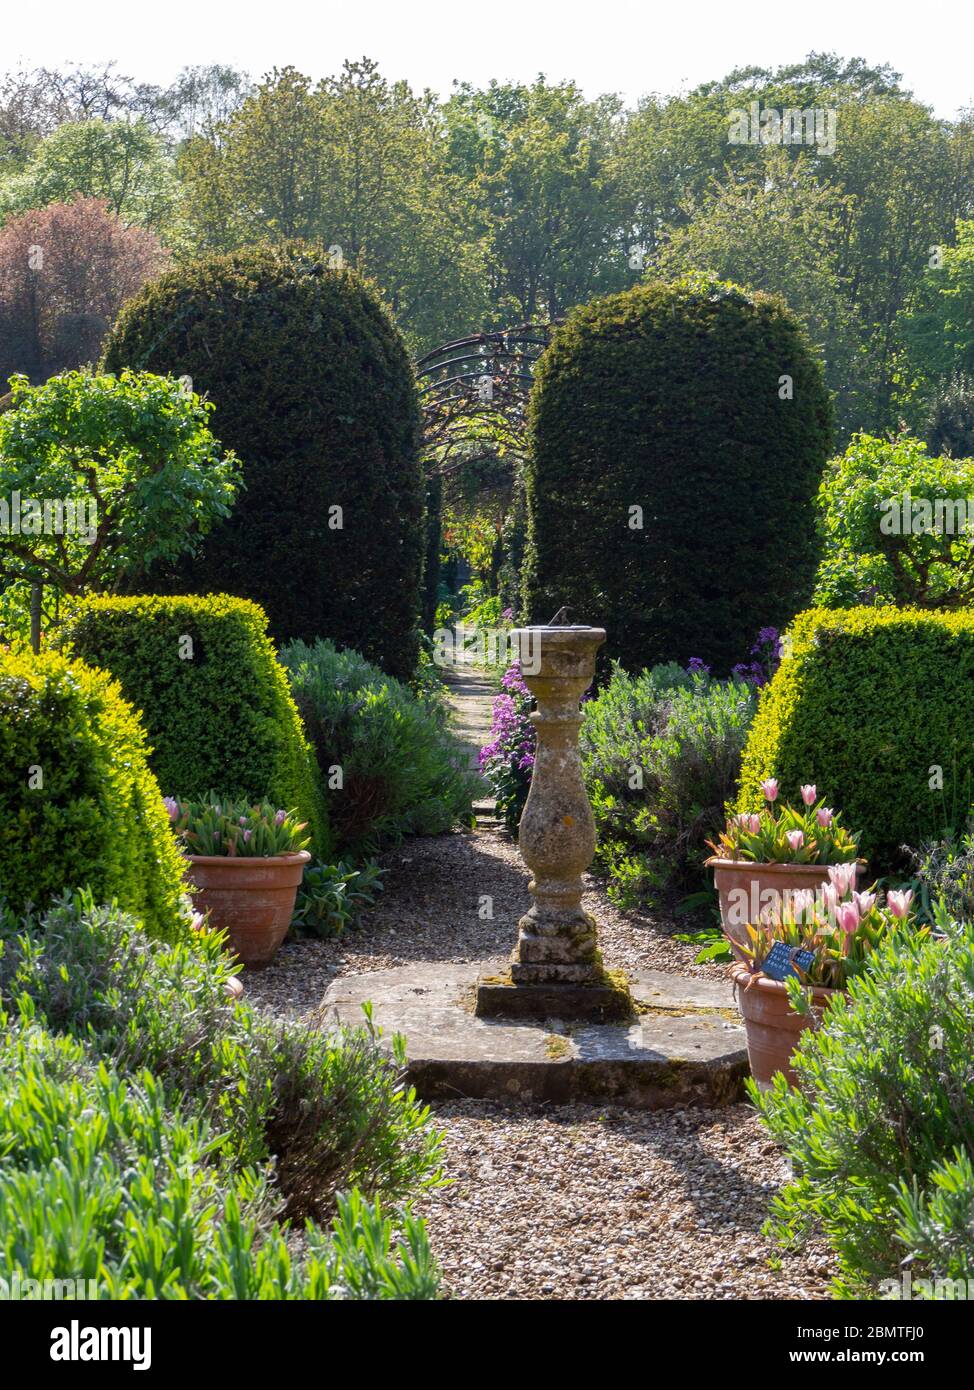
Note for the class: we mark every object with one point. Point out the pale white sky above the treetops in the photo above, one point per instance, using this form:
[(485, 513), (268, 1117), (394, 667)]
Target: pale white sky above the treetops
[(606, 47)]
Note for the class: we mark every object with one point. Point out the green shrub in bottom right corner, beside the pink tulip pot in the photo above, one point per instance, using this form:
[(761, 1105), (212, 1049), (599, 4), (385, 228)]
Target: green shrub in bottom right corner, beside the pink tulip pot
[(882, 1131)]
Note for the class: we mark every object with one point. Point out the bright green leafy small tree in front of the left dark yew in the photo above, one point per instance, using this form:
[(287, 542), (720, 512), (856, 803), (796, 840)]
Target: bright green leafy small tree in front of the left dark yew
[(102, 477)]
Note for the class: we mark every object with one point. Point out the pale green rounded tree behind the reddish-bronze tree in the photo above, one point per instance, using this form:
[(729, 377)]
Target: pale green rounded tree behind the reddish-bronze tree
[(119, 162)]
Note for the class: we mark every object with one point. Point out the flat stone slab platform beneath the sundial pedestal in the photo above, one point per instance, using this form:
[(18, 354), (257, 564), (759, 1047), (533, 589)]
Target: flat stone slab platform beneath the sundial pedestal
[(684, 1046)]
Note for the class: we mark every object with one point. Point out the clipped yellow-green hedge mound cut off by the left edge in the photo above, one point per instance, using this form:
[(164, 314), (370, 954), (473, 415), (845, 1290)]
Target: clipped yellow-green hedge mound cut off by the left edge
[(79, 804)]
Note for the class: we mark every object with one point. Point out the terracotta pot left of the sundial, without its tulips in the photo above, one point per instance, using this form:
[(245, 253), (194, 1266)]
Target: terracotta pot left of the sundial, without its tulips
[(252, 900)]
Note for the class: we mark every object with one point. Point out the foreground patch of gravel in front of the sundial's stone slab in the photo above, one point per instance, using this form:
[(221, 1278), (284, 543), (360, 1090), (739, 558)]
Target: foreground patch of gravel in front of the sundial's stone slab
[(573, 1203)]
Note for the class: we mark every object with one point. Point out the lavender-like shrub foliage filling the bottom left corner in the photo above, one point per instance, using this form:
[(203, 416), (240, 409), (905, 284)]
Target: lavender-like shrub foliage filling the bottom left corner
[(138, 1103)]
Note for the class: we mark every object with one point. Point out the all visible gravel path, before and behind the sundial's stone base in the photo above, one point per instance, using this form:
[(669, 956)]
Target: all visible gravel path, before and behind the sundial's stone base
[(576, 1202)]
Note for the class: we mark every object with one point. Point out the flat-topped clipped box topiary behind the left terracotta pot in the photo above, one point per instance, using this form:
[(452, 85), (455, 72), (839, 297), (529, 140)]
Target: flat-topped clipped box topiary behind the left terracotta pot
[(213, 697)]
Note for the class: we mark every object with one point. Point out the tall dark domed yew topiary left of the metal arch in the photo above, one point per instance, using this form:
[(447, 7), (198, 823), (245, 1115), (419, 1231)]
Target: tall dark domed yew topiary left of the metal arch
[(316, 394)]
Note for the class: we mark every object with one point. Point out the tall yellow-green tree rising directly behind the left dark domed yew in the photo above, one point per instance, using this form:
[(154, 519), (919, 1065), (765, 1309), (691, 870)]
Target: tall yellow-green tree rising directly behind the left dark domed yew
[(356, 165)]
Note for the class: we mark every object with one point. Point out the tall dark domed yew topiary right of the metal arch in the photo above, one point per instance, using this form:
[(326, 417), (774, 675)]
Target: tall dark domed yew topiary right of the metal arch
[(669, 398)]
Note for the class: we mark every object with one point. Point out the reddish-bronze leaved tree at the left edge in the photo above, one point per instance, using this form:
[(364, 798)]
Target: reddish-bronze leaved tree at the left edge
[(65, 273)]
